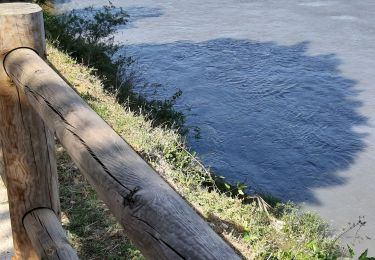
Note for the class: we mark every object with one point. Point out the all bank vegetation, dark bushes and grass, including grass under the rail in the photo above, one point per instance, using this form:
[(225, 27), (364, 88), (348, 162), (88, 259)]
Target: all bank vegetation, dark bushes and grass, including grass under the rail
[(81, 50)]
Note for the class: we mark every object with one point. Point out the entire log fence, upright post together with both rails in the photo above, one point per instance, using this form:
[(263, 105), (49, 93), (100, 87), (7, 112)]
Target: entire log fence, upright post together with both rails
[(157, 220)]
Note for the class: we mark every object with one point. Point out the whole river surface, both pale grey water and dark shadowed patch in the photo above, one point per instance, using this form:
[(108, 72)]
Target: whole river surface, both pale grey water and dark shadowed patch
[(282, 92)]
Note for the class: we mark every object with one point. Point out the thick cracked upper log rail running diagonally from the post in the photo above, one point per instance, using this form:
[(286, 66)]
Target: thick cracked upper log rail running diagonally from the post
[(154, 216)]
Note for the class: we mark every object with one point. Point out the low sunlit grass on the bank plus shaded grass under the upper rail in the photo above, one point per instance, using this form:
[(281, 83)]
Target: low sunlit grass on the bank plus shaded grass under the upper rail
[(285, 232)]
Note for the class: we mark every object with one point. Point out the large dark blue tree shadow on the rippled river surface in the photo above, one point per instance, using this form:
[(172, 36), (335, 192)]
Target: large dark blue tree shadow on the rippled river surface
[(271, 115)]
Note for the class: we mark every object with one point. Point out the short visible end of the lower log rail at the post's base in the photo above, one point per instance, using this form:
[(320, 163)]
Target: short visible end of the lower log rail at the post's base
[(47, 235)]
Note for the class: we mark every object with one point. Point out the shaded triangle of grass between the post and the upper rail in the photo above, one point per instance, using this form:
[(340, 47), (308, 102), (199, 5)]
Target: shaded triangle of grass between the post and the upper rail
[(92, 230)]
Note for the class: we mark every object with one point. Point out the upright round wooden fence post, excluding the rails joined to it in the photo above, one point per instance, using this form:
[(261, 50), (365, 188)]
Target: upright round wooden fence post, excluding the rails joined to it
[(27, 145)]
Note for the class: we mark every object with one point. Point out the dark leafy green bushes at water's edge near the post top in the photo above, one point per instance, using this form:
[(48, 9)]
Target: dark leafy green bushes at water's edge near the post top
[(88, 37)]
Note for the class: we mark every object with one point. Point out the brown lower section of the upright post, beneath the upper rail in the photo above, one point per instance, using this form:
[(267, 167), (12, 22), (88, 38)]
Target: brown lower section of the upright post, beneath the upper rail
[(30, 167)]
